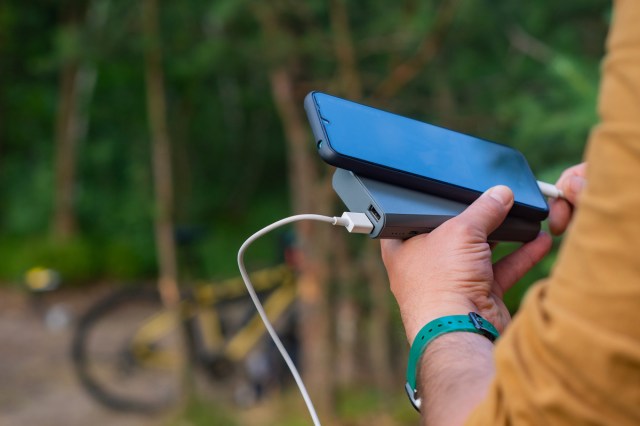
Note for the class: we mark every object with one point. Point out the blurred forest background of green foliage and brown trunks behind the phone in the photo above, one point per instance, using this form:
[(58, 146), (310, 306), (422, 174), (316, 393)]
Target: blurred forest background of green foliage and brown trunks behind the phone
[(122, 122)]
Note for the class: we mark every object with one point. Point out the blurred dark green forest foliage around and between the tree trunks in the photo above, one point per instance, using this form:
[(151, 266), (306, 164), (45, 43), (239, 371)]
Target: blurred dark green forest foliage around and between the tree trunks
[(521, 74)]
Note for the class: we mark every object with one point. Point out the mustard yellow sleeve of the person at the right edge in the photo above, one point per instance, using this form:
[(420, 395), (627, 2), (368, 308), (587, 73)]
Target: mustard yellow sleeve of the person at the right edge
[(572, 354)]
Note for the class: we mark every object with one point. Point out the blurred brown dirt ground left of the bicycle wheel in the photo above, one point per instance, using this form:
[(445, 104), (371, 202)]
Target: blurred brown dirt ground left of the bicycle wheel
[(37, 383)]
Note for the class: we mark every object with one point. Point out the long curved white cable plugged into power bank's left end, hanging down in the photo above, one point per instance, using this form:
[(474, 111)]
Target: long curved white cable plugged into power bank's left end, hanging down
[(355, 223)]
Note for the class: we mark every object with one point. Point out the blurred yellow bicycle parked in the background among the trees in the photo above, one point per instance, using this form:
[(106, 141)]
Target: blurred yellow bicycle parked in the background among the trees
[(126, 349)]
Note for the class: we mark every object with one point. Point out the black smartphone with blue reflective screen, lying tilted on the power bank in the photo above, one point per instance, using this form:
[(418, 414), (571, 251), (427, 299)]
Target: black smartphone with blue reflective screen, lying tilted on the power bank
[(420, 156)]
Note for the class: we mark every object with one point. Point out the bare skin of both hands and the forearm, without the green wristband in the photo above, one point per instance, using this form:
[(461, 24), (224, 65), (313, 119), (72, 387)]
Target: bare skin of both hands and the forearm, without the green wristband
[(449, 272)]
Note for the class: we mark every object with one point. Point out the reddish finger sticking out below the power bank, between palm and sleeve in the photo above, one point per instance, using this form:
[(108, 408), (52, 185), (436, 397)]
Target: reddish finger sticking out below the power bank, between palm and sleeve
[(508, 270)]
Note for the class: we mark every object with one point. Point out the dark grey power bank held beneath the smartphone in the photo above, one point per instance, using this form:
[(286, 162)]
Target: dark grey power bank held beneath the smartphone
[(401, 213)]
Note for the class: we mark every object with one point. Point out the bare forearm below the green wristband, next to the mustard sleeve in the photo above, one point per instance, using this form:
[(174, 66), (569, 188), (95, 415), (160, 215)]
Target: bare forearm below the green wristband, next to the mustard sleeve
[(455, 372)]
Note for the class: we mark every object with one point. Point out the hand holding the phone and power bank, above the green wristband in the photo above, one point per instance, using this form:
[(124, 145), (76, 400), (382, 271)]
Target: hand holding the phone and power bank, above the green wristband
[(449, 271)]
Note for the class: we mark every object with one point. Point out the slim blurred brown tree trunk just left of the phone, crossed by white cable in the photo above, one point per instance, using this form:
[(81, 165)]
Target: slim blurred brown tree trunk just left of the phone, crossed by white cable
[(314, 326)]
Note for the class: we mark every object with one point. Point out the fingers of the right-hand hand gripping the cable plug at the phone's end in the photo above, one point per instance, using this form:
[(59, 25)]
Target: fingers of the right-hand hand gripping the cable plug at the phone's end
[(571, 182)]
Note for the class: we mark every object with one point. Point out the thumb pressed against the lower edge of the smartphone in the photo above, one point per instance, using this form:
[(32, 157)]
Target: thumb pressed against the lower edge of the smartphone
[(488, 211)]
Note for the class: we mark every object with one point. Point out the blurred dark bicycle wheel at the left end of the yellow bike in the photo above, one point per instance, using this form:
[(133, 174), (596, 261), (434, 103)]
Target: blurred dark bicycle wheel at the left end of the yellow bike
[(126, 352)]
